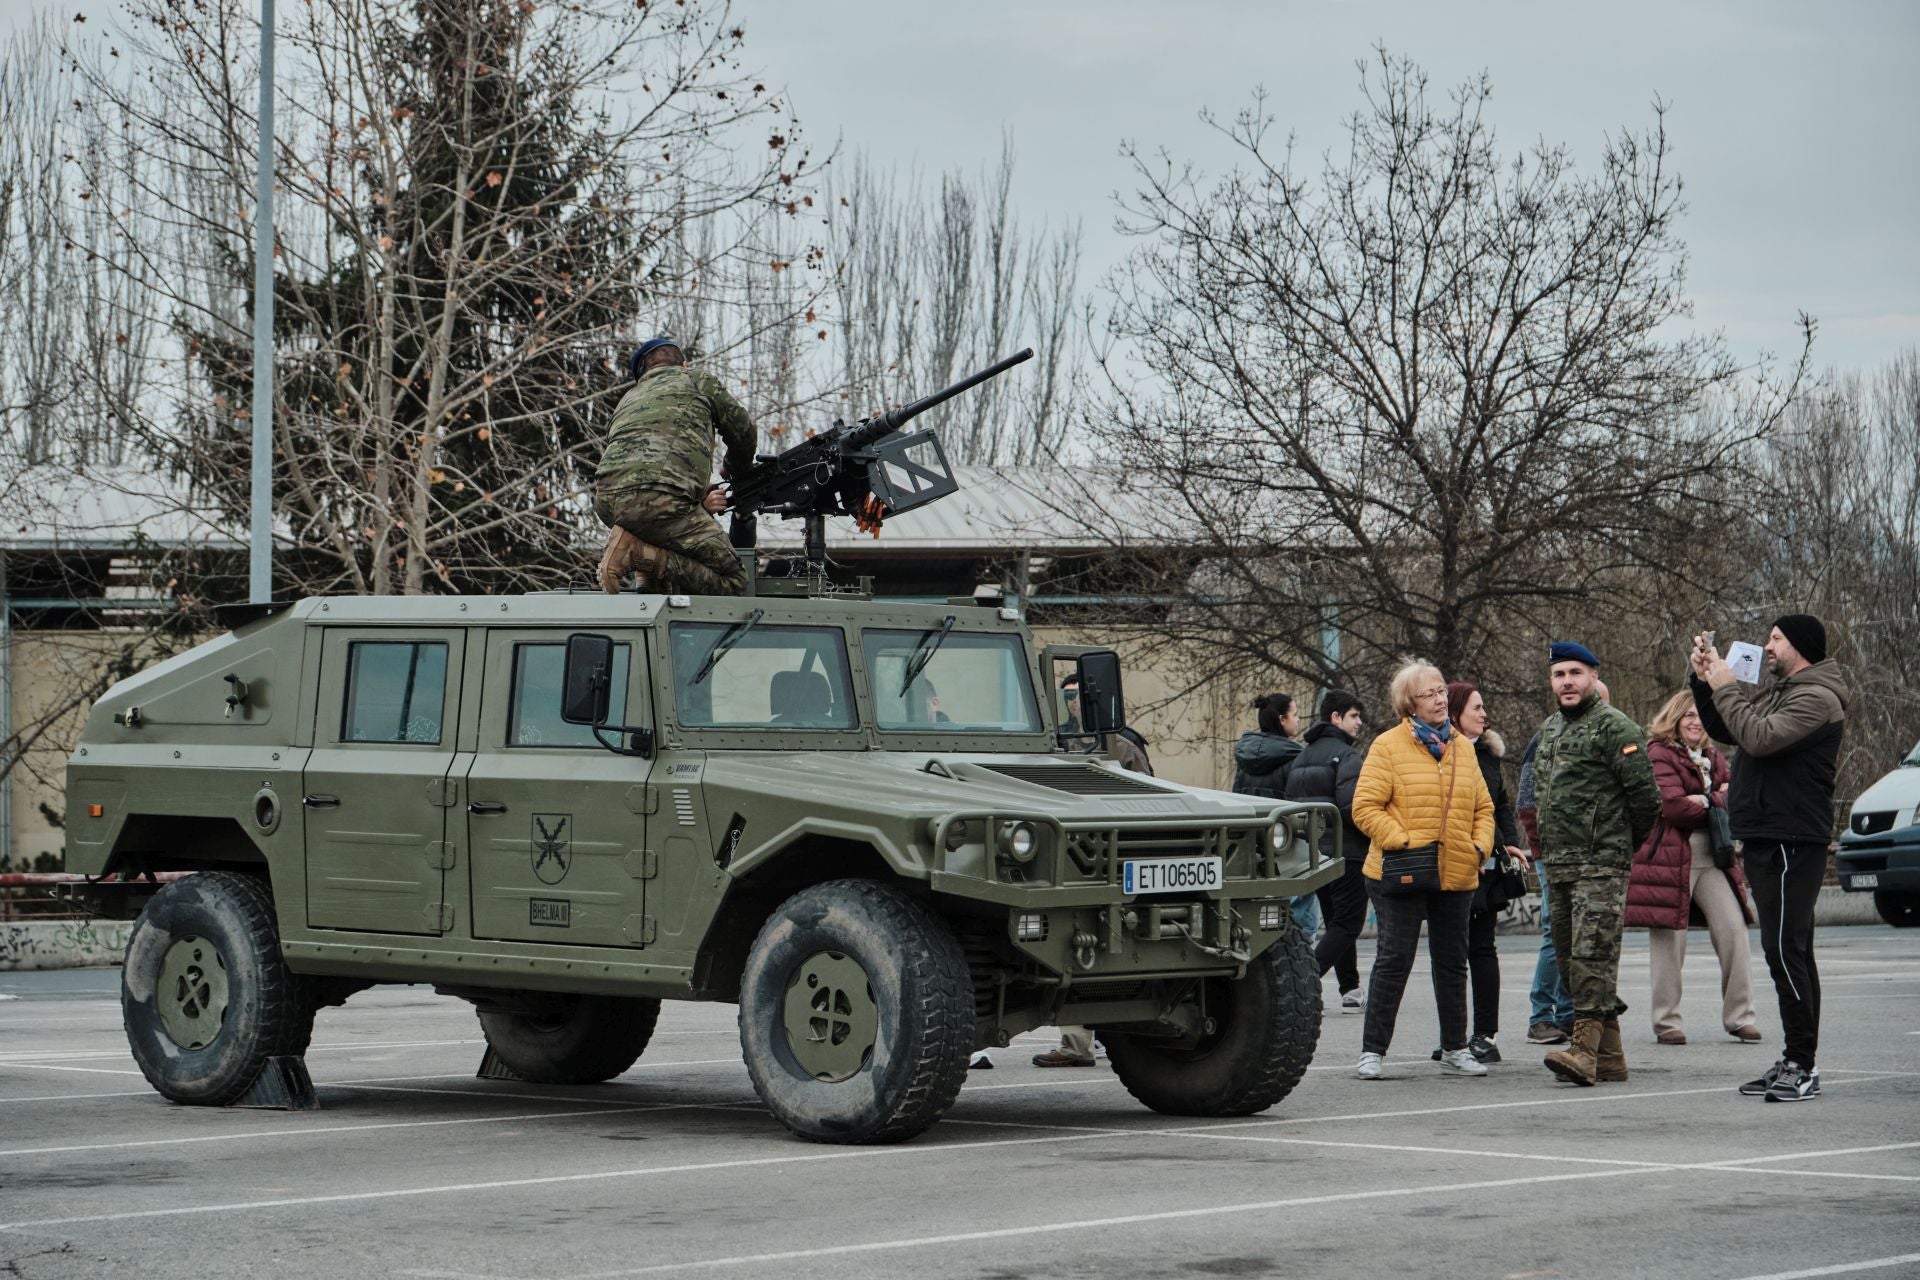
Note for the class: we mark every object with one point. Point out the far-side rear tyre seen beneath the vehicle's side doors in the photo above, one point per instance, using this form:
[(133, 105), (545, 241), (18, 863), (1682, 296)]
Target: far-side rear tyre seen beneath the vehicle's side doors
[(575, 1039)]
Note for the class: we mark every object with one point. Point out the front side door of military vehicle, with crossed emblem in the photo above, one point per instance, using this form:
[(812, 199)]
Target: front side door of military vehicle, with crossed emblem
[(556, 820)]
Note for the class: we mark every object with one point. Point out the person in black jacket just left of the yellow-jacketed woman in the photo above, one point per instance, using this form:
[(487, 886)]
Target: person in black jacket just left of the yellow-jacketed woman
[(1328, 769)]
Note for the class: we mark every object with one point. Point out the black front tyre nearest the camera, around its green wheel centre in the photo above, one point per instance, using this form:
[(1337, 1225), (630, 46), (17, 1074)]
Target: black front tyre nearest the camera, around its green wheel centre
[(921, 995)]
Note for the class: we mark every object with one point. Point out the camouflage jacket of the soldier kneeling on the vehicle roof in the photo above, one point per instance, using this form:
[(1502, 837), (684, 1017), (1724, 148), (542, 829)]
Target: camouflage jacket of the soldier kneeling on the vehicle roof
[(663, 435)]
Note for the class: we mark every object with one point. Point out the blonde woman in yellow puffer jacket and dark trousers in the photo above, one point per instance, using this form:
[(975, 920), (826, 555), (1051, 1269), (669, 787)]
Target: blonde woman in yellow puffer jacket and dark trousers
[(1422, 786)]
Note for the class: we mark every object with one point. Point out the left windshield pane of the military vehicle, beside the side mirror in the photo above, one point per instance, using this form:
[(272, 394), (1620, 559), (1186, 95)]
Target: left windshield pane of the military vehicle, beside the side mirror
[(769, 678)]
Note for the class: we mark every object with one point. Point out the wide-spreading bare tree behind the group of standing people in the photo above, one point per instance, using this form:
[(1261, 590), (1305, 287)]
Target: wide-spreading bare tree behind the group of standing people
[(1428, 400)]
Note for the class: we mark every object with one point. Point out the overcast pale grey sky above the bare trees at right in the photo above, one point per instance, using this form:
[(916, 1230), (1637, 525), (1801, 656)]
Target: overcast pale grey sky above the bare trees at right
[(1794, 126)]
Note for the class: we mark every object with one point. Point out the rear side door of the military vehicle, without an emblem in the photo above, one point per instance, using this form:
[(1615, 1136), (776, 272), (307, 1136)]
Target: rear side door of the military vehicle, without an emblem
[(377, 790)]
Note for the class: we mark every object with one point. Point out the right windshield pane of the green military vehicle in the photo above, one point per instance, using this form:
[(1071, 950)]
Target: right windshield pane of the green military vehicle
[(972, 684)]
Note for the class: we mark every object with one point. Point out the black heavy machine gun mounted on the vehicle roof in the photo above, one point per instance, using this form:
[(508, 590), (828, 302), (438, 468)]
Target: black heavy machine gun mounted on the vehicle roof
[(867, 471)]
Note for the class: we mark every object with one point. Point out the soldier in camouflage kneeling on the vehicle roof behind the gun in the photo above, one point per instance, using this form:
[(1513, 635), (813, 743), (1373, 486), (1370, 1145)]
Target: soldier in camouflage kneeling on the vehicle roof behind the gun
[(654, 479)]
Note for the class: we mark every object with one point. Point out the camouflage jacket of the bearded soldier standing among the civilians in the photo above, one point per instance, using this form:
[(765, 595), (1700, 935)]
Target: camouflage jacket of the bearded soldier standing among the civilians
[(1595, 786)]
